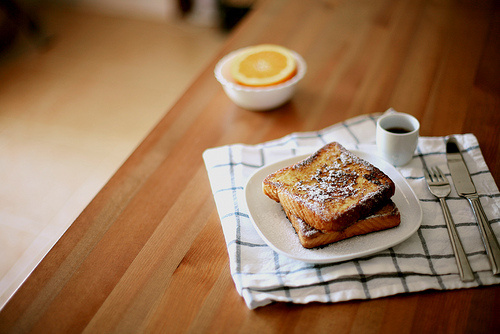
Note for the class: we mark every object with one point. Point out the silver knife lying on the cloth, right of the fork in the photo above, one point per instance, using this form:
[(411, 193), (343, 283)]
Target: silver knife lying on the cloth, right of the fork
[(465, 188)]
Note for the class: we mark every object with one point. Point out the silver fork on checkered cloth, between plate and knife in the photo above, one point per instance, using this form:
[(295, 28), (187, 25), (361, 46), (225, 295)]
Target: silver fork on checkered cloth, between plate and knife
[(440, 187)]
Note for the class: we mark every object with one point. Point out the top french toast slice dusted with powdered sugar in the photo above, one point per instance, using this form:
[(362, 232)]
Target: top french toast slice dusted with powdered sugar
[(331, 189)]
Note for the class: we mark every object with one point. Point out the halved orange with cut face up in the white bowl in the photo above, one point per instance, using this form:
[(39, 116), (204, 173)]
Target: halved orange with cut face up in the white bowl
[(263, 65)]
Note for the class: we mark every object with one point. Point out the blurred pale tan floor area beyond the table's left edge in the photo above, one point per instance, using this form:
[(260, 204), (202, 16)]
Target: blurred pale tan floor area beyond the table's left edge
[(82, 82)]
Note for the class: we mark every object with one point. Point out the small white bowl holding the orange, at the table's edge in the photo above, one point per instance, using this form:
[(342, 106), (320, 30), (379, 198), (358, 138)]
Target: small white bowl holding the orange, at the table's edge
[(257, 98)]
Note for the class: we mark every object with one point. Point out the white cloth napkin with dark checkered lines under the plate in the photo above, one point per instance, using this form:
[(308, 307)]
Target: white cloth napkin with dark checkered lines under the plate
[(424, 261)]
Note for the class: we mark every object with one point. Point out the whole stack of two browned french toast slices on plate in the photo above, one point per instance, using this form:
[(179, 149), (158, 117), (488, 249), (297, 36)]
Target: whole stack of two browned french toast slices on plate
[(333, 195)]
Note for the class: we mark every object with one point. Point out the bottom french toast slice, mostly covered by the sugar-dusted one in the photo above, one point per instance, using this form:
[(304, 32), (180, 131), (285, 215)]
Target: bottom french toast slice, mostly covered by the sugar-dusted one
[(309, 237)]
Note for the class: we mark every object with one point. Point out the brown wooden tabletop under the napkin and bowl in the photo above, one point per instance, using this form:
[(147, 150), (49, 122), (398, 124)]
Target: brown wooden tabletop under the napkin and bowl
[(148, 253)]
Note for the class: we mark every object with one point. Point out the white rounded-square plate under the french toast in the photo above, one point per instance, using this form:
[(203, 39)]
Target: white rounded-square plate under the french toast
[(273, 226)]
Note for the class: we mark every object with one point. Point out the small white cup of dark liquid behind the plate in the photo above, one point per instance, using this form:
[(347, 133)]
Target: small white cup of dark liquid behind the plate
[(397, 137)]
